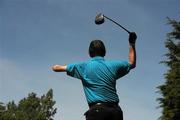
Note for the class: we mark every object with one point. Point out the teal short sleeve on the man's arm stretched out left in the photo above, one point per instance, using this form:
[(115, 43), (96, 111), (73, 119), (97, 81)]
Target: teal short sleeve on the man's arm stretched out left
[(75, 70)]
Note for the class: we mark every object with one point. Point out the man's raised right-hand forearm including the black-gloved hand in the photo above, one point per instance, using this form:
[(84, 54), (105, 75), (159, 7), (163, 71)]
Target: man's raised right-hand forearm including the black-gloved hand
[(132, 49)]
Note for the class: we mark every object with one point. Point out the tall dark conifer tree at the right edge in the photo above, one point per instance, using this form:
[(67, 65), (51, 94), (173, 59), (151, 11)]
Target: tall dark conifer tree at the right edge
[(170, 90)]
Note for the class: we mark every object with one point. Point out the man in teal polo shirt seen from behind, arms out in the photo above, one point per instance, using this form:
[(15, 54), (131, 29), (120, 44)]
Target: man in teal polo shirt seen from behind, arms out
[(99, 77)]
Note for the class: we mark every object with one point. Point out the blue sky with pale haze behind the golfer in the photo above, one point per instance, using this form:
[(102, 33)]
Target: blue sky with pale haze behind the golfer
[(36, 34)]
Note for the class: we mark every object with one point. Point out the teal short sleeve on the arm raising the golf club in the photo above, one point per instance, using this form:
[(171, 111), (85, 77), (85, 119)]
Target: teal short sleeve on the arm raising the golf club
[(121, 68)]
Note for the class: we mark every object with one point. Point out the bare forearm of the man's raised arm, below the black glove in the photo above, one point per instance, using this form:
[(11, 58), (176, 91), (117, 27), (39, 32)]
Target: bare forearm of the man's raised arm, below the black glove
[(132, 55)]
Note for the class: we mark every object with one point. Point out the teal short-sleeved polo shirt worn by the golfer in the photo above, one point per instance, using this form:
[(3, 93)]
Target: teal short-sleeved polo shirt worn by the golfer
[(99, 77)]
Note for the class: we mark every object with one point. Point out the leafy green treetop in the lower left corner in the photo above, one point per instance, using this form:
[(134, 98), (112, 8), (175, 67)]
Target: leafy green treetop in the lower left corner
[(30, 108)]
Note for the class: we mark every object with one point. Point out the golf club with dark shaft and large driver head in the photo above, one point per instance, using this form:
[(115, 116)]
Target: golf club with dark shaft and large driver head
[(100, 20)]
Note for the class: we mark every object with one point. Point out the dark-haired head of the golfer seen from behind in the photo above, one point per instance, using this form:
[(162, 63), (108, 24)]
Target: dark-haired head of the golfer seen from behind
[(97, 48)]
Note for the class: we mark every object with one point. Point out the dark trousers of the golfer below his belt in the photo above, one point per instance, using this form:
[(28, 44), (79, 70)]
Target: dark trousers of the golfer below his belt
[(104, 113)]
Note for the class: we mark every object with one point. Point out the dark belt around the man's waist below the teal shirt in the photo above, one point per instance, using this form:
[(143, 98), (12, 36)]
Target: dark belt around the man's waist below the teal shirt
[(104, 104)]
